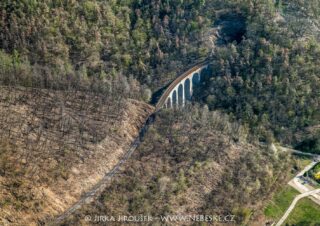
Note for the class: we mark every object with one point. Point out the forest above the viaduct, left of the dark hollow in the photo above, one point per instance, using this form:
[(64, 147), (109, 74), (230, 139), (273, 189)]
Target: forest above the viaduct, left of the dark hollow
[(100, 39)]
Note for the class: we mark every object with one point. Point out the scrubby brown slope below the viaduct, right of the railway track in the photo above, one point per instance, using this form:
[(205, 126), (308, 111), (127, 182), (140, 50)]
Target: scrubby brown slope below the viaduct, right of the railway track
[(192, 162)]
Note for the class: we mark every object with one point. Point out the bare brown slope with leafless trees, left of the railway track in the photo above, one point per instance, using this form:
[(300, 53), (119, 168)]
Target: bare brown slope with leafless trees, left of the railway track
[(56, 145)]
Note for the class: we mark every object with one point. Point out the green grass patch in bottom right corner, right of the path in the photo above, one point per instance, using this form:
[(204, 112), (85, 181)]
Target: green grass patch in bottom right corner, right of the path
[(305, 213)]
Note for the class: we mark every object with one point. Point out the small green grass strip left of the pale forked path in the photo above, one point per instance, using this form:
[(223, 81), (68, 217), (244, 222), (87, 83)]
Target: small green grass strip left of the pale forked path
[(280, 202)]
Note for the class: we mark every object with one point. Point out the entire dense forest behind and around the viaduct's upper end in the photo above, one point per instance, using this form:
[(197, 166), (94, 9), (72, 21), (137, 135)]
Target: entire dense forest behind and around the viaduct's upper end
[(264, 71)]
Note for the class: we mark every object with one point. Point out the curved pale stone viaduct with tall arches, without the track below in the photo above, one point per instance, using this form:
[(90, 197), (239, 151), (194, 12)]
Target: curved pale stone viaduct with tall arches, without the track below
[(181, 89)]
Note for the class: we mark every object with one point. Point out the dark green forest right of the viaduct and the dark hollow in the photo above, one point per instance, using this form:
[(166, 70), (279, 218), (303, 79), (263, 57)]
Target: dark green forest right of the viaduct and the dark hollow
[(270, 80)]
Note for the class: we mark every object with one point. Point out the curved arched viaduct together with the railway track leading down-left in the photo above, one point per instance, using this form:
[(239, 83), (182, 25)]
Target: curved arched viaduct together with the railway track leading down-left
[(175, 95)]
